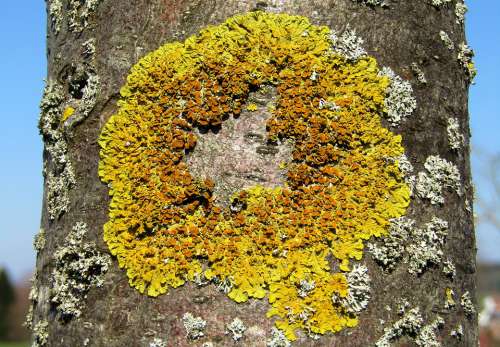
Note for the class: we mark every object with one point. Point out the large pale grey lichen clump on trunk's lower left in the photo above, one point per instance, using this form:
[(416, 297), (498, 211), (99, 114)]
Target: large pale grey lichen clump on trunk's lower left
[(78, 268)]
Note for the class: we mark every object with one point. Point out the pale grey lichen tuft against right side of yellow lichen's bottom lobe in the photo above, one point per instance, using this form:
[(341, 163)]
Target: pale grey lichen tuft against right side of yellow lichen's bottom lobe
[(358, 295)]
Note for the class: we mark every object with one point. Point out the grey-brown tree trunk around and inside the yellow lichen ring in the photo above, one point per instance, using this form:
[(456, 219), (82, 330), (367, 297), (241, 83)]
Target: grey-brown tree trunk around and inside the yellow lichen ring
[(421, 270)]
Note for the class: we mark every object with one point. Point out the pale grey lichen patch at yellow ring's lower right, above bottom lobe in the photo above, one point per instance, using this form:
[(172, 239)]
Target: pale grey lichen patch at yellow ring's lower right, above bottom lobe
[(392, 249)]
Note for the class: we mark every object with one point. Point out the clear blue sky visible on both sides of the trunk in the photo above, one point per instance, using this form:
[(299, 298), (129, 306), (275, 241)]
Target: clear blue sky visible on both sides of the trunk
[(22, 33)]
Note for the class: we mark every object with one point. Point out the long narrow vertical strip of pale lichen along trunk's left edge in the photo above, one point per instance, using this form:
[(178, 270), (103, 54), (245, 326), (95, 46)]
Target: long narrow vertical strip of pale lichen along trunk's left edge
[(60, 177)]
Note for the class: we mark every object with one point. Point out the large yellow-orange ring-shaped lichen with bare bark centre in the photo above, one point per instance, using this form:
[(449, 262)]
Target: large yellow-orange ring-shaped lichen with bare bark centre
[(341, 189)]
